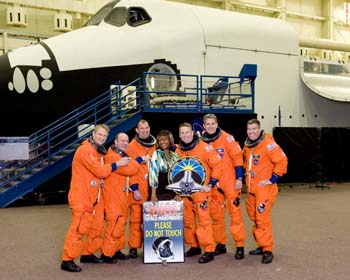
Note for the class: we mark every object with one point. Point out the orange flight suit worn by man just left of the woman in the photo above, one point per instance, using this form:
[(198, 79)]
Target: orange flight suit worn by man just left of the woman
[(136, 149)]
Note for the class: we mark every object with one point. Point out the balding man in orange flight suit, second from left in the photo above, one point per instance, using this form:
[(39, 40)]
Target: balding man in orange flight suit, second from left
[(116, 200)]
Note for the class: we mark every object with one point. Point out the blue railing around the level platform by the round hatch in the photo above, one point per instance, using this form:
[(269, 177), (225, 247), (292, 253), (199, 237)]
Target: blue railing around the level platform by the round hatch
[(198, 93)]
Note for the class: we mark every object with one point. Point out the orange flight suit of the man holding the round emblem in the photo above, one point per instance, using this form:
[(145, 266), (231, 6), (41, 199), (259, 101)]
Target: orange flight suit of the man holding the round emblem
[(201, 234)]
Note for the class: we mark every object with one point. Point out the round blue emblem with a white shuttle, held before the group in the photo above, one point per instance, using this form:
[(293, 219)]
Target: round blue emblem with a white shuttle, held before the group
[(186, 176)]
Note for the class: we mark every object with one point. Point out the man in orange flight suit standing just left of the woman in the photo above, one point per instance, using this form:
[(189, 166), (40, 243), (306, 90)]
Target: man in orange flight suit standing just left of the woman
[(143, 144)]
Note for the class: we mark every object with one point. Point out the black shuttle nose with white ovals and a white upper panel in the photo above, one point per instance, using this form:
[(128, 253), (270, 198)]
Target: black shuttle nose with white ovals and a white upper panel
[(27, 85)]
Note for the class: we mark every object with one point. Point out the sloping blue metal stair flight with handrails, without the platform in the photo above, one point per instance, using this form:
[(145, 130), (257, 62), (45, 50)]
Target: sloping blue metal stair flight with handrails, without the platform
[(52, 148)]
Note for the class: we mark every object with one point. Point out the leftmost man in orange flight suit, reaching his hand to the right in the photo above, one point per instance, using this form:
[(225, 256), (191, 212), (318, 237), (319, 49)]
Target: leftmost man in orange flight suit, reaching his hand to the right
[(86, 200)]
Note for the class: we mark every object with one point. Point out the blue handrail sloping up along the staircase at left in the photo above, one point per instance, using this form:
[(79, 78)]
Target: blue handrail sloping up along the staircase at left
[(52, 140)]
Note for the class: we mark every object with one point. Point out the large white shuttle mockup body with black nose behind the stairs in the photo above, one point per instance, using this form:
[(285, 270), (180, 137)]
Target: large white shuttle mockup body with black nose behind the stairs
[(42, 82)]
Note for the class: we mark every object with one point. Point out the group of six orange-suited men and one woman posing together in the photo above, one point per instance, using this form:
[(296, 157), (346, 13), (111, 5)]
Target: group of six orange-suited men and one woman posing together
[(108, 188)]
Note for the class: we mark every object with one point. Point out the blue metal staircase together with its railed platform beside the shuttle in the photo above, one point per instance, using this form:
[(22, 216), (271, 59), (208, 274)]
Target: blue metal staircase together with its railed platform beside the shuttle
[(52, 148)]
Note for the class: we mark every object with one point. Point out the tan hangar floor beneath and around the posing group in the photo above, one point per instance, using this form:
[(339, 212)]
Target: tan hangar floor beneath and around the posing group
[(311, 227)]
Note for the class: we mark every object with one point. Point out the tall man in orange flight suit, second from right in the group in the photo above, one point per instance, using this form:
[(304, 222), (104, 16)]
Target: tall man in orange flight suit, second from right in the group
[(227, 192)]
